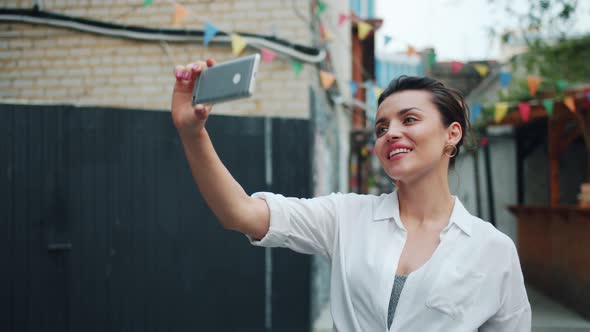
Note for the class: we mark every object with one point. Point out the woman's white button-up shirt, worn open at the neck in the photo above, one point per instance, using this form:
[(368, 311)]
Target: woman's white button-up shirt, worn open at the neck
[(472, 281)]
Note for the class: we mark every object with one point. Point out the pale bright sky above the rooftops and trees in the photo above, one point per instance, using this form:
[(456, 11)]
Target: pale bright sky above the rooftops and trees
[(457, 29)]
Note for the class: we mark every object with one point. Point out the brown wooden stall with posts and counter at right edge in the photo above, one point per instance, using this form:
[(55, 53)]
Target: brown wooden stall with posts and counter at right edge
[(553, 240)]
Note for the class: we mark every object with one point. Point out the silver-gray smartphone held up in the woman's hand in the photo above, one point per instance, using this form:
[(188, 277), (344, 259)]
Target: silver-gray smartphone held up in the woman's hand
[(227, 81)]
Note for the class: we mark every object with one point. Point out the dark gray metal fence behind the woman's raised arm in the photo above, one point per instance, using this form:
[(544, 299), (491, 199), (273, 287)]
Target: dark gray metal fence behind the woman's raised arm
[(103, 229)]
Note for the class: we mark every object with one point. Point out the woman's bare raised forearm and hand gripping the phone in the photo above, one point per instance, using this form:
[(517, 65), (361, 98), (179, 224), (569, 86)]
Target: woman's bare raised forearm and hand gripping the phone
[(233, 208)]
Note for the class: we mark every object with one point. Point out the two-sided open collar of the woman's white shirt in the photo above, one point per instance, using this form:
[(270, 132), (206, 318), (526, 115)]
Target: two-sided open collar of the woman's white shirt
[(388, 207)]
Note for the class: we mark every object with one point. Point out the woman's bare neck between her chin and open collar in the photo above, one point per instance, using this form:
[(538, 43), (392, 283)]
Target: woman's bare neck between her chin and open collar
[(426, 202)]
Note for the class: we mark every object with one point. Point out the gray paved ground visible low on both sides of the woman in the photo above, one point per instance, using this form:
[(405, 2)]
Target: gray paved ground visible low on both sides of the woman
[(548, 316)]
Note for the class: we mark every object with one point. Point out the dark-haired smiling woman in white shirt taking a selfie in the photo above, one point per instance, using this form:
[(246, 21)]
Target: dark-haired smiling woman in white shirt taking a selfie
[(411, 260)]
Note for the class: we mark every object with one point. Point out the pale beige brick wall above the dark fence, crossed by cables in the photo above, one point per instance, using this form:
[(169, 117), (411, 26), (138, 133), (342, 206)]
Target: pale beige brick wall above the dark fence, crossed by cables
[(40, 63)]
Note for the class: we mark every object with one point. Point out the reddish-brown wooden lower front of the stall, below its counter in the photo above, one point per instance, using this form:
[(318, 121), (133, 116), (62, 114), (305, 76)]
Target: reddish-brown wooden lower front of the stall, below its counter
[(554, 251)]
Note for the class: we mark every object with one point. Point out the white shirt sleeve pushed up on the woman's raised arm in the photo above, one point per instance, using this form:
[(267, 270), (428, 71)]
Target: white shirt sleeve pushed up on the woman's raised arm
[(304, 225)]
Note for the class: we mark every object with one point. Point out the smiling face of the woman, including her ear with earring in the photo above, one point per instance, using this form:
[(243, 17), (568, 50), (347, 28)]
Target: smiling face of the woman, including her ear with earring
[(411, 137)]
